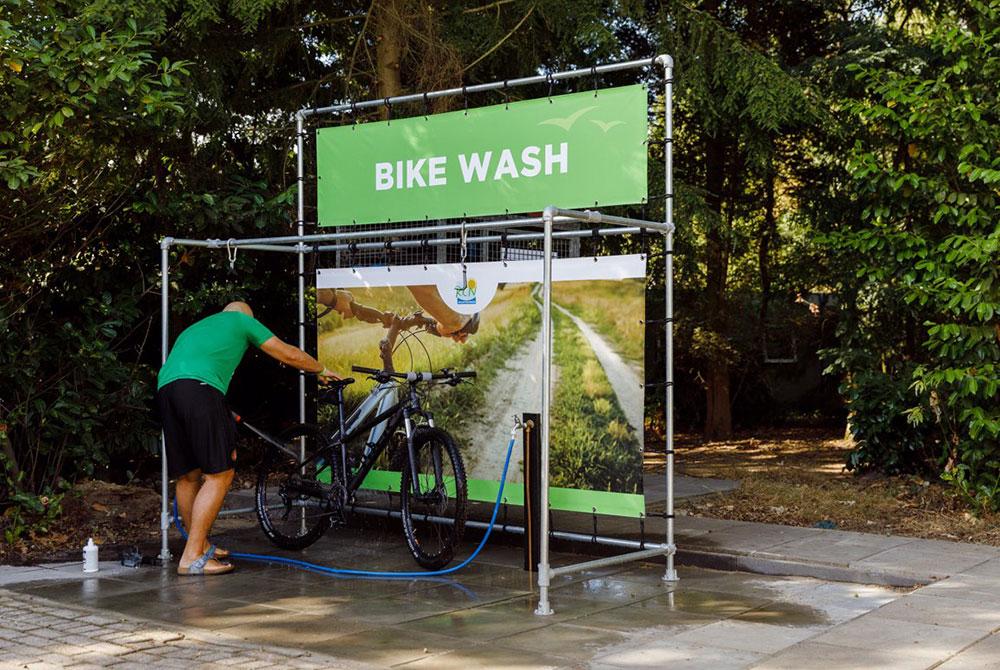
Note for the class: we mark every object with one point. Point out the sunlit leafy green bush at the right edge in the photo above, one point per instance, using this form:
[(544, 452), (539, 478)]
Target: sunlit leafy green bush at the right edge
[(926, 174)]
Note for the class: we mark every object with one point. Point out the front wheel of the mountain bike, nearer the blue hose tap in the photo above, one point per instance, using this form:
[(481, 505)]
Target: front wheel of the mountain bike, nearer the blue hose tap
[(434, 514)]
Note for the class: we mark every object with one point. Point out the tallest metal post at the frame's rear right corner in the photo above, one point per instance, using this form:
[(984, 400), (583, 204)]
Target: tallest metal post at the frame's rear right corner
[(668, 269)]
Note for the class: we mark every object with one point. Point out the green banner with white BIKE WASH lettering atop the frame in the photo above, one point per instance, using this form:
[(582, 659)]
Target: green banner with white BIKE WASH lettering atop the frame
[(576, 150)]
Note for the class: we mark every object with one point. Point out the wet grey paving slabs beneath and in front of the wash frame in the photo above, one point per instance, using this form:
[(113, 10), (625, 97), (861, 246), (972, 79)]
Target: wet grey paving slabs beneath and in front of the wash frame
[(482, 616)]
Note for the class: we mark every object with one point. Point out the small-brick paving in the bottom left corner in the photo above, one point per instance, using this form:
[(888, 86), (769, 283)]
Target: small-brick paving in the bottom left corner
[(36, 633)]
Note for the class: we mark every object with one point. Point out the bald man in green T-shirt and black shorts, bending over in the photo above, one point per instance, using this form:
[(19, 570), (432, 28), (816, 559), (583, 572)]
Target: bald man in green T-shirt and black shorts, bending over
[(198, 429)]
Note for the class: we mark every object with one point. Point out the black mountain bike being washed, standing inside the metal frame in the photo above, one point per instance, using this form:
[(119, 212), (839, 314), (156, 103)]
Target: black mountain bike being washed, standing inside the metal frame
[(298, 498)]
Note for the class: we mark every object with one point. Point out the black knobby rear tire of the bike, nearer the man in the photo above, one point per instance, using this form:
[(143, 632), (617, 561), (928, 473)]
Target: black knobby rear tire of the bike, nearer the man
[(273, 510)]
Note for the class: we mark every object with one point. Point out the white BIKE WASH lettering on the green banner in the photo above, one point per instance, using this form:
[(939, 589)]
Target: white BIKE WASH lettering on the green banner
[(475, 167)]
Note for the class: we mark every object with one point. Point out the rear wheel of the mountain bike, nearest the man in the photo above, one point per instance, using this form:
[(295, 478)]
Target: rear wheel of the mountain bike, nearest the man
[(296, 505)]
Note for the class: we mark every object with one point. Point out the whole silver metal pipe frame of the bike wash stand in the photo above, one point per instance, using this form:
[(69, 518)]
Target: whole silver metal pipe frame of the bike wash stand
[(302, 244)]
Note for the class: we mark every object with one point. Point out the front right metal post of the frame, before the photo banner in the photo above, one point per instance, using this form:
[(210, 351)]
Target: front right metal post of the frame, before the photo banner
[(544, 576)]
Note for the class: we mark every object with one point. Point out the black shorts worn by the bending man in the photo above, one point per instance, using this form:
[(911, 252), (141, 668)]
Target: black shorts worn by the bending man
[(199, 430)]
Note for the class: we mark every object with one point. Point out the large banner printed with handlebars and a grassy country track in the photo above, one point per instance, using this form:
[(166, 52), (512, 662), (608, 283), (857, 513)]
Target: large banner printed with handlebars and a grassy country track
[(598, 343)]
